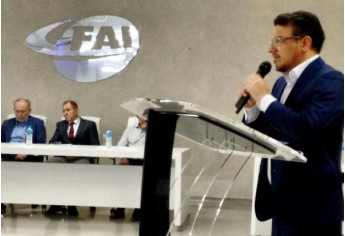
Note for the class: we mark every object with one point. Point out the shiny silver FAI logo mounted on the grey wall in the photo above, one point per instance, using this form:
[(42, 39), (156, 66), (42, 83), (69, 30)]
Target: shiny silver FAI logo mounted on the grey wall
[(89, 50)]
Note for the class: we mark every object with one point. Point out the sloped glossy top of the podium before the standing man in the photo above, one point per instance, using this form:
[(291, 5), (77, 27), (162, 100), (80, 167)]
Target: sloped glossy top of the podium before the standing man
[(273, 148)]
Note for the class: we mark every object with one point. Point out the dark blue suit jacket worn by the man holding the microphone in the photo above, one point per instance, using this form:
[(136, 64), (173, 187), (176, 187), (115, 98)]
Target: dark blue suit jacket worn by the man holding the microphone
[(311, 121)]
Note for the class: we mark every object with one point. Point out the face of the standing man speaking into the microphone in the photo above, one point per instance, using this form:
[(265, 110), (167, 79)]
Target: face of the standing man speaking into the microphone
[(287, 53)]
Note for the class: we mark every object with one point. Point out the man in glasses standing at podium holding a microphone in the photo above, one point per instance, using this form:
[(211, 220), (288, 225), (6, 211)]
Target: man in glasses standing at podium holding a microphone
[(305, 110)]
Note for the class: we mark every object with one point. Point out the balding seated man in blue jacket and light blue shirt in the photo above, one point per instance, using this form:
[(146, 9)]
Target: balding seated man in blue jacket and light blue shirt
[(13, 131)]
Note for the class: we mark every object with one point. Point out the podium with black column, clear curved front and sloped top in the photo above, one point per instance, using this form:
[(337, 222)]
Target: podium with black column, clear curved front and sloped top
[(221, 148)]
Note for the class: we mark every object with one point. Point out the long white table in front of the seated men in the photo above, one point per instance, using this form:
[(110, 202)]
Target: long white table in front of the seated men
[(80, 184)]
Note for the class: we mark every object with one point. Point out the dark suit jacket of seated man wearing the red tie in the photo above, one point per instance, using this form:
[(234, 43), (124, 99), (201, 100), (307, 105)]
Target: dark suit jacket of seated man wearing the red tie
[(86, 134)]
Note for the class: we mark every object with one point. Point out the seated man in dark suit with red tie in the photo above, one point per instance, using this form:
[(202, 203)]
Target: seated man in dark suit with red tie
[(73, 130)]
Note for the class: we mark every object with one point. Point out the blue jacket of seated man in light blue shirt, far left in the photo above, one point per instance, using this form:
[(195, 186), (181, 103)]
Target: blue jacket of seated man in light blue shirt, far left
[(39, 134)]
